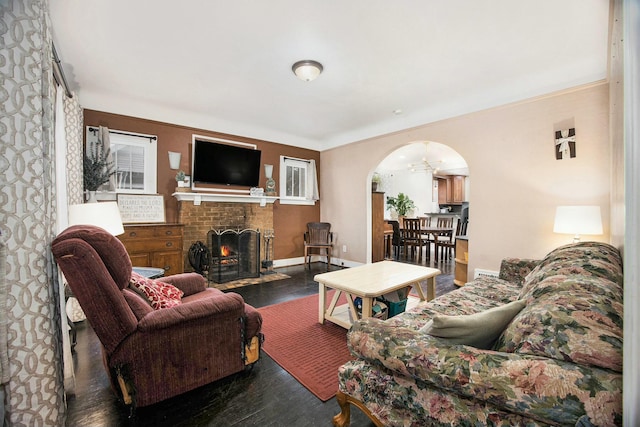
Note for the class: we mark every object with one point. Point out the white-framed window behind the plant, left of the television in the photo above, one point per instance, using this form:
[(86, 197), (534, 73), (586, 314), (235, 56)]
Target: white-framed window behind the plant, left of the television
[(135, 160)]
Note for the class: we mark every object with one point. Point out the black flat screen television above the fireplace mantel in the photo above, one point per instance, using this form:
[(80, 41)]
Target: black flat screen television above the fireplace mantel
[(222, 164)]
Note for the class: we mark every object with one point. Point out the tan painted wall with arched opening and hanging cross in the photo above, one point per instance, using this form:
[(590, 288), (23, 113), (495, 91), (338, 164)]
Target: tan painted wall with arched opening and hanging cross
[(516, 182)]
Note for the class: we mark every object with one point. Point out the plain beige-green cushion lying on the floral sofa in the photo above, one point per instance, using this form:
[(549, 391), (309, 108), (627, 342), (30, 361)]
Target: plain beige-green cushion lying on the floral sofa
[(477, 330)]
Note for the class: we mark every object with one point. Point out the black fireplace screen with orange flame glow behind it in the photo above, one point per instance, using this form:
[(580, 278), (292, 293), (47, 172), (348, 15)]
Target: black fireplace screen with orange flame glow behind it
[(235, 254)]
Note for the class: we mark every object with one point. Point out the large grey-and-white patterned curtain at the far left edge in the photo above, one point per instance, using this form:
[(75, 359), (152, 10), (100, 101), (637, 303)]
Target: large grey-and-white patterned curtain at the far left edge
[(34, 393)]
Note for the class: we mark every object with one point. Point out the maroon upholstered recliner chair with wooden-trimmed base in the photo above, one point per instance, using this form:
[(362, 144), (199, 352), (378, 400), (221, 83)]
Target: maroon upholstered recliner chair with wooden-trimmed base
[(151, 355)]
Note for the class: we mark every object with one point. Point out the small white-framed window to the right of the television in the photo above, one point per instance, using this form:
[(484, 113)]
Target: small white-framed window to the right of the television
[(297, 181)]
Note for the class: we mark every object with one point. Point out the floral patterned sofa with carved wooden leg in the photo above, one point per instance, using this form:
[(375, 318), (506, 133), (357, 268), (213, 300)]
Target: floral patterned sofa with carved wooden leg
[(557, 362)]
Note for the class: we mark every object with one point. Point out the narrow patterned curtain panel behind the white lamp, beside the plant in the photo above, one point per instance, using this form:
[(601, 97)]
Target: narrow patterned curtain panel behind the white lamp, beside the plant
[(73, 131)]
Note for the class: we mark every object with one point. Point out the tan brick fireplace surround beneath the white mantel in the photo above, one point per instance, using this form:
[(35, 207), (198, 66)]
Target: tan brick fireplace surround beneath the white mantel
[(209, 215)]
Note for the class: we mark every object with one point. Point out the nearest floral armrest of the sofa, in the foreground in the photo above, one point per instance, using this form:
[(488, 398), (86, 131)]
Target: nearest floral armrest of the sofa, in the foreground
[(528, 385)]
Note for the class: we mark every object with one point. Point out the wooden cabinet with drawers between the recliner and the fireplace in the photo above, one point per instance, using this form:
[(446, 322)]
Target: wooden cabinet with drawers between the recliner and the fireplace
[(155, 245)]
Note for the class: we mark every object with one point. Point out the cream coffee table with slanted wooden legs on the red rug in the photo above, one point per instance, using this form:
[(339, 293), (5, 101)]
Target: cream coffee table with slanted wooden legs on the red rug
[(368, 282)]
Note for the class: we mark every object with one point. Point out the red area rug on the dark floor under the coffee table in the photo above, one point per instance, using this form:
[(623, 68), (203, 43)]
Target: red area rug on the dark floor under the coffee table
[(309, 351)]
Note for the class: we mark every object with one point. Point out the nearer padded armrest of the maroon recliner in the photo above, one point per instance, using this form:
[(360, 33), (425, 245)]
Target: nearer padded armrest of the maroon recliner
[(218, 305)]
